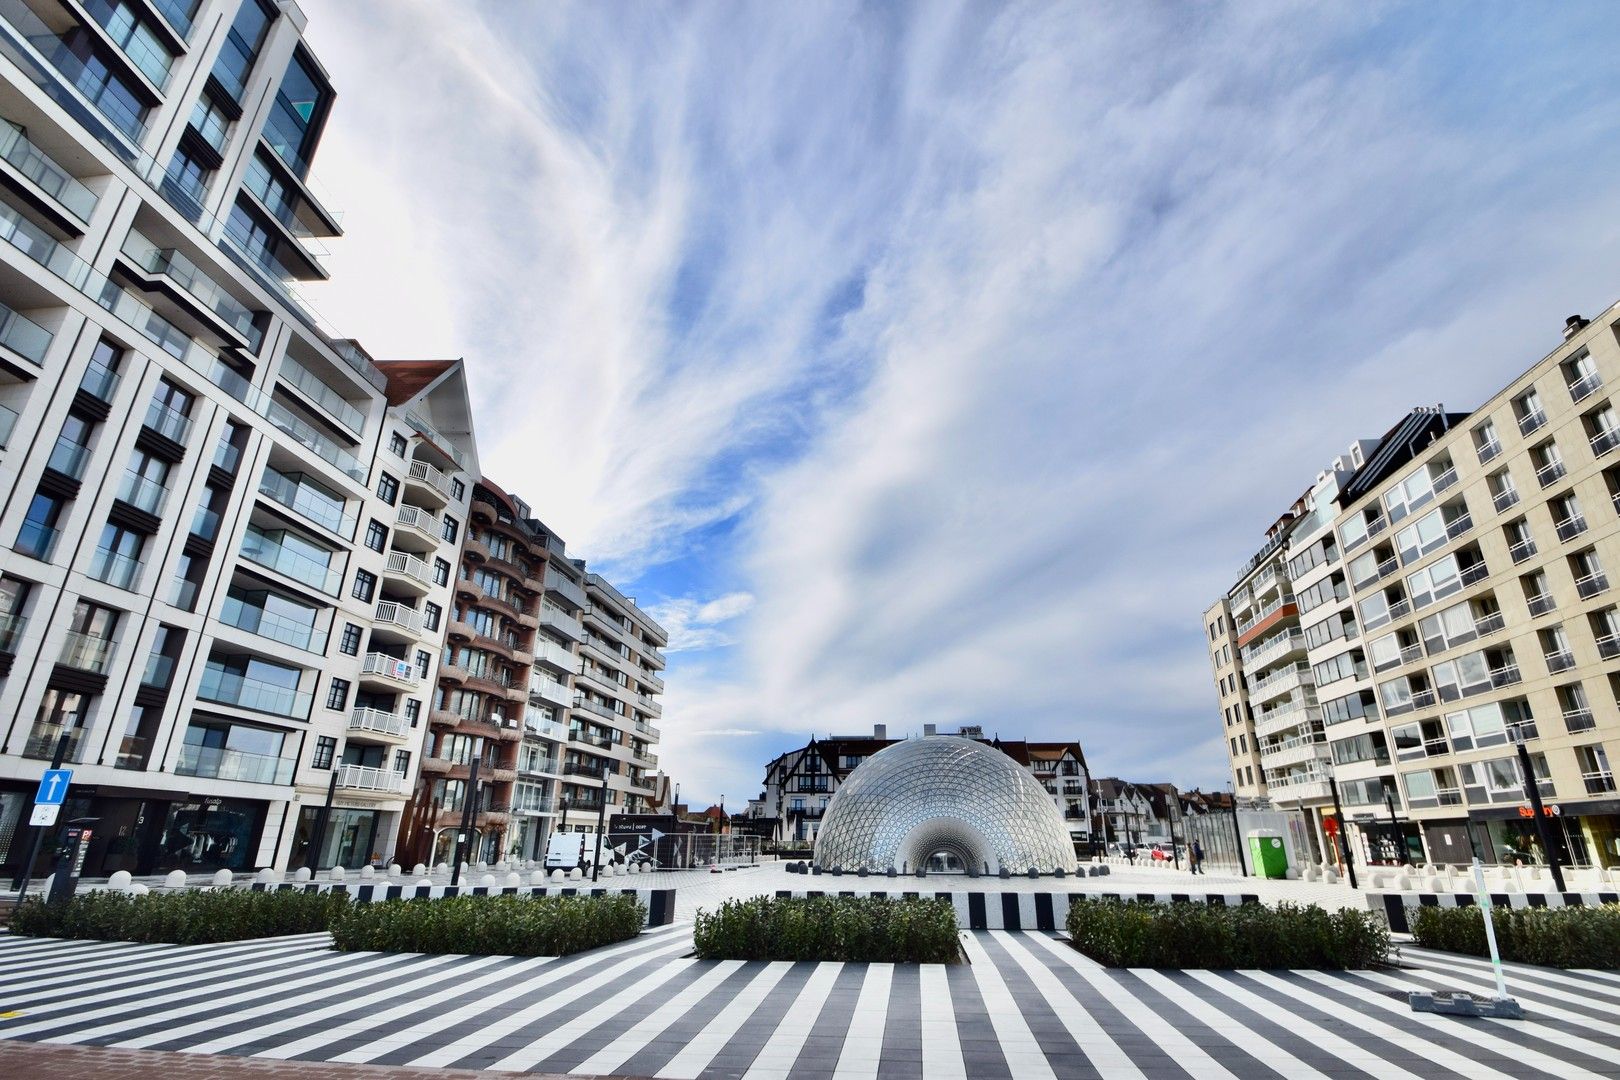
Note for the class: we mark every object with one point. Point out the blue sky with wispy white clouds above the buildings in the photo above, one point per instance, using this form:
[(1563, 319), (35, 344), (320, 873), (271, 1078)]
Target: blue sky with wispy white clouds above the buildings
[(942, 364)]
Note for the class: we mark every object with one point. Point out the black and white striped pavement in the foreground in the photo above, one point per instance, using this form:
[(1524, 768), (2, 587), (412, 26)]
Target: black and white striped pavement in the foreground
[(1023, 1006)]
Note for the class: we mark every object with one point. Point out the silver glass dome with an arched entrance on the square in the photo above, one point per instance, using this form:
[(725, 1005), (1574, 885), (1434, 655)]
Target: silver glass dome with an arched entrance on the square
[(944, 801)]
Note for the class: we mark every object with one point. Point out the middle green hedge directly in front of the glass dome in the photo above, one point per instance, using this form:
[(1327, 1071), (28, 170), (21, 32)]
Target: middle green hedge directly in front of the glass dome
[(859, 930)]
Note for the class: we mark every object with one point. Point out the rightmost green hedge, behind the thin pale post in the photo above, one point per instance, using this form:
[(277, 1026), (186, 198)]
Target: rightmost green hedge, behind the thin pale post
[(1551, 937)]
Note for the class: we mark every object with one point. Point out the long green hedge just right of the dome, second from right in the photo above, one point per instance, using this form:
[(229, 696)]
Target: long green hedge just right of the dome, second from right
[(1214, 937)]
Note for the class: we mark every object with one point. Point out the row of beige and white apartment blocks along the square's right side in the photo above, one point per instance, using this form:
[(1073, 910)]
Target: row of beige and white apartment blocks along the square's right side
[(1435, 598)]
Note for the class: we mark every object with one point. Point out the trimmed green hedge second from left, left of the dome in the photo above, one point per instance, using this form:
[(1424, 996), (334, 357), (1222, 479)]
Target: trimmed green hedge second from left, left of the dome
[(490, 925)]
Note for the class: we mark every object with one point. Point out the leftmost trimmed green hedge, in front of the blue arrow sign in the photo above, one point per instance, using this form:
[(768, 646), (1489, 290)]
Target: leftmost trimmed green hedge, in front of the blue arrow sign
[(182, 919)]
